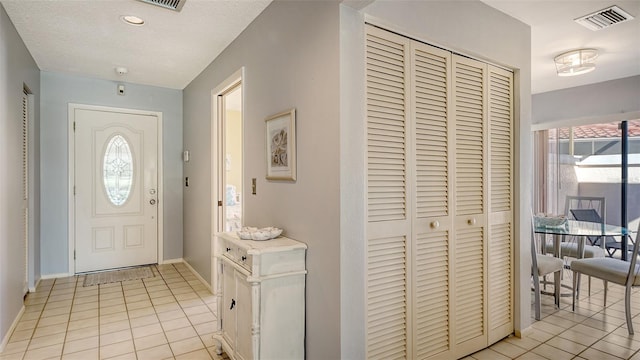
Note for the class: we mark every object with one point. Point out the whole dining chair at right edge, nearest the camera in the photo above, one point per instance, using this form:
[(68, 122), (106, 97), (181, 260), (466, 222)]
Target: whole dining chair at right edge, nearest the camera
[(613, 270)]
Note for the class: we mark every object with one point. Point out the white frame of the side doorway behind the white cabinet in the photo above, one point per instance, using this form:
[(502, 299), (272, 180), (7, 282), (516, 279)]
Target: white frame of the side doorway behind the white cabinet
[(217, 167)]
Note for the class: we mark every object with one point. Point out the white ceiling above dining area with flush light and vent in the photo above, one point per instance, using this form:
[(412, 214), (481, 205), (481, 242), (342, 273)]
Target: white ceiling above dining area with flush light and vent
[(553, 32)]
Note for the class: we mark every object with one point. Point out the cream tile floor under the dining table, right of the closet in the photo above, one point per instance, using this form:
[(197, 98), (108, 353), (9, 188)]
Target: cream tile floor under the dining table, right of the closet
[(591, 332)]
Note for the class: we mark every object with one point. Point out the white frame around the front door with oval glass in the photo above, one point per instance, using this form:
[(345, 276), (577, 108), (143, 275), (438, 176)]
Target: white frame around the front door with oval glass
[(72, 167)]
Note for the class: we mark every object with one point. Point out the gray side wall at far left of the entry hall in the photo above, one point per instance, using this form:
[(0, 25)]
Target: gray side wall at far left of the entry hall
[(17, 69)]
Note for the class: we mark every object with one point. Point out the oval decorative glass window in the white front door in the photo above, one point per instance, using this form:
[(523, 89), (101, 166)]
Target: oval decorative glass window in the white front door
[(117, 170)]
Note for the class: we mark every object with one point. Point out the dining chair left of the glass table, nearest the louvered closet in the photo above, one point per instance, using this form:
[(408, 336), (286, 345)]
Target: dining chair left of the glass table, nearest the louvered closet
[(542, 265)]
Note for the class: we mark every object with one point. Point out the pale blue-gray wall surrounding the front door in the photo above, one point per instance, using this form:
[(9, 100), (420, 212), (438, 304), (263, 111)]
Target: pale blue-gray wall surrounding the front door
[(58, 90)]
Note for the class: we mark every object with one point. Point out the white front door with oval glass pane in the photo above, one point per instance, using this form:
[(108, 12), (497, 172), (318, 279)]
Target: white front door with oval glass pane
[(116, 189)]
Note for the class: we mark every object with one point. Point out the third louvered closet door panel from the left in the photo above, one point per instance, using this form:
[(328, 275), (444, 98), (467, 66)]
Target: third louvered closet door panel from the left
[(469, 115)]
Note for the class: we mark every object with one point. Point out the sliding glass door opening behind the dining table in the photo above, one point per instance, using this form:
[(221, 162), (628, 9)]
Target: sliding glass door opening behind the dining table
[(592, 160)]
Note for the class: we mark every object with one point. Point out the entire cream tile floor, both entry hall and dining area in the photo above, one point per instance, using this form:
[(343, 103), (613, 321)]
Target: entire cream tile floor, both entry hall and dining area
[(171, 316)]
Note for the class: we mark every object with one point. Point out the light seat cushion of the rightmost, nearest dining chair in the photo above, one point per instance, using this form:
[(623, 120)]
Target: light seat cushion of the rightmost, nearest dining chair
[(610, 269)]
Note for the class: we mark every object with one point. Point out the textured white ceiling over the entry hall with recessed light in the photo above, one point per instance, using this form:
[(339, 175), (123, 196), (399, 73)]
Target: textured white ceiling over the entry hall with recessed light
[(87, 37)]
